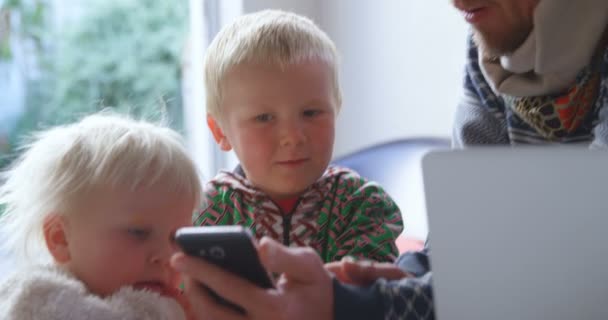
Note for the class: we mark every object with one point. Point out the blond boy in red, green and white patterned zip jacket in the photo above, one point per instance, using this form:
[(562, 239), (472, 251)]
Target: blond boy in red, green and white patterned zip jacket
[(272, 96)]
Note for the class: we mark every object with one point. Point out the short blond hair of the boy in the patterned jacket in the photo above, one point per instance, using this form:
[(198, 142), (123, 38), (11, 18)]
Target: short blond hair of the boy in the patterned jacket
[(269, 36)]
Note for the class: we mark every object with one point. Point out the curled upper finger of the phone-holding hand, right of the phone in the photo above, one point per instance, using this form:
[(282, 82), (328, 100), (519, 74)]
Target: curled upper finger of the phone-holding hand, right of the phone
[(297, 264)]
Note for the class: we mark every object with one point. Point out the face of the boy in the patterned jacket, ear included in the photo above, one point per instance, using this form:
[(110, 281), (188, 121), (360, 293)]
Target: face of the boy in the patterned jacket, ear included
[(280, 123)]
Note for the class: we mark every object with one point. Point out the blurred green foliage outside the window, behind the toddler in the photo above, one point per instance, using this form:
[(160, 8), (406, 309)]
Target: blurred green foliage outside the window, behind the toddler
[(123, 54)]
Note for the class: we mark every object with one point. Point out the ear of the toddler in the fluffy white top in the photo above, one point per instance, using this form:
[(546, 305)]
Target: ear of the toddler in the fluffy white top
[(55, 237)]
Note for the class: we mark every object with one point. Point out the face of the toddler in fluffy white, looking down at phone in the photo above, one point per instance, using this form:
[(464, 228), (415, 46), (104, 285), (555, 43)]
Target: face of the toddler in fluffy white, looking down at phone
[(119, 238)]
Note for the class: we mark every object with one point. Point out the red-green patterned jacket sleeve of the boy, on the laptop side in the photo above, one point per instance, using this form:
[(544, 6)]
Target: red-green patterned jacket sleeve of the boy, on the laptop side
[(368, 220)]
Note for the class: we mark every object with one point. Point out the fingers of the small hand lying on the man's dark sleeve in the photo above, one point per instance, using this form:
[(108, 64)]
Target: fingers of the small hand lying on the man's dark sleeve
[(366, 272)]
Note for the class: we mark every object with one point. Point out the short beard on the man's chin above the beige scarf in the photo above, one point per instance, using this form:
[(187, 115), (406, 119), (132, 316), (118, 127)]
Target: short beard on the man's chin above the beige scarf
[(496, 45)]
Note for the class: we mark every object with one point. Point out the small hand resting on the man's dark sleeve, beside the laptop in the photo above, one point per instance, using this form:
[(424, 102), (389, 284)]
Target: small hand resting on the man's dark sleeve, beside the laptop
[(364, 272)]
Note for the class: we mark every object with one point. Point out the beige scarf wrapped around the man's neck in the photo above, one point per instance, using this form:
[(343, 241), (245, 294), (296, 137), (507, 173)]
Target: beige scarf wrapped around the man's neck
[(562, 43)]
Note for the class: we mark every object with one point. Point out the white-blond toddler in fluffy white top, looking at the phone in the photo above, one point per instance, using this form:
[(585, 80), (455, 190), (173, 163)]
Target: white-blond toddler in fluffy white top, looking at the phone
[(91, 209)]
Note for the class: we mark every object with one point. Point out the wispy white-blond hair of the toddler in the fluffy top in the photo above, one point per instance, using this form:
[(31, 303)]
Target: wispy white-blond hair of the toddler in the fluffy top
[(65, 162)]
